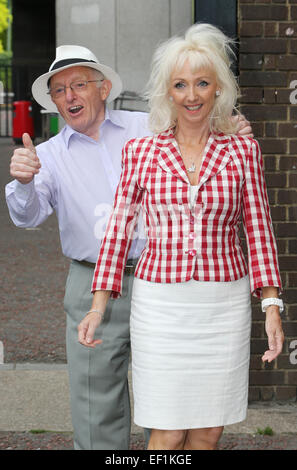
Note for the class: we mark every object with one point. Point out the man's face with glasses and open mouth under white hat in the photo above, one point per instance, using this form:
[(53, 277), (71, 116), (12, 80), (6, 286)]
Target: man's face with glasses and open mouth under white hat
[(83, 110)]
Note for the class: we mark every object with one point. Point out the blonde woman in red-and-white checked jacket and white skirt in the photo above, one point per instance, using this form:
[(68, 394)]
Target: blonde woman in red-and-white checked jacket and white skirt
[(191, 312)]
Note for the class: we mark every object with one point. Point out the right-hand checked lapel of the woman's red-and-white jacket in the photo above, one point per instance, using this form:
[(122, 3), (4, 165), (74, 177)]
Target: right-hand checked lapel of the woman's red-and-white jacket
[(216, 156)]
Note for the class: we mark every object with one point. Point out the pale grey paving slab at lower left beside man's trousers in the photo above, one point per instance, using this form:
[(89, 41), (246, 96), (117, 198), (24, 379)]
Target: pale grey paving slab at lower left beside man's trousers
[(34, 399)]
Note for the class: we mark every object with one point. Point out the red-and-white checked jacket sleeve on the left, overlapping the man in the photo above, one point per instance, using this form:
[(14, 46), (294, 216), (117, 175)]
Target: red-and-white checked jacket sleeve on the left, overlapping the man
[(108, 274)]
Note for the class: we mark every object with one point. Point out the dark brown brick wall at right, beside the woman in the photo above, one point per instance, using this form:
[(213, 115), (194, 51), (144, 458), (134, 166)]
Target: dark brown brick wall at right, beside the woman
[(268, 65)]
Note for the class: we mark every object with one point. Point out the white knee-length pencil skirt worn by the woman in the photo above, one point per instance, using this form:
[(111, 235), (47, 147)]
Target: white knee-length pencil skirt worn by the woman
[(190, 353)]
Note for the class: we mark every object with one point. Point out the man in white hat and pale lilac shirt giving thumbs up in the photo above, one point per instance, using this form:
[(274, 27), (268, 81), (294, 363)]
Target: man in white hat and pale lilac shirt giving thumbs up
[(76, 173)]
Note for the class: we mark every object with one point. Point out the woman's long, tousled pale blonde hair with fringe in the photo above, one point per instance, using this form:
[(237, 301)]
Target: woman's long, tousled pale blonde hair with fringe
[(205, 46)]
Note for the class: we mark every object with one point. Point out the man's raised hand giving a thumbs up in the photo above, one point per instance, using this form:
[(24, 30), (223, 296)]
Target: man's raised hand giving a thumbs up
[(24, 163)]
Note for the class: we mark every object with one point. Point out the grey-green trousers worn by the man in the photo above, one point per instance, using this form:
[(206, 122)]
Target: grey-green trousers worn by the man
[(99, 393)]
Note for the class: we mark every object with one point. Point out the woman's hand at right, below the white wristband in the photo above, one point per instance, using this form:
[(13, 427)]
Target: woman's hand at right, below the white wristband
[(275, 334)]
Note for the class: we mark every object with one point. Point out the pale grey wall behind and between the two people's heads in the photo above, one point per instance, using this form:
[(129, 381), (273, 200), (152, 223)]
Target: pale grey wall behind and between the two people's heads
[(122, 33)]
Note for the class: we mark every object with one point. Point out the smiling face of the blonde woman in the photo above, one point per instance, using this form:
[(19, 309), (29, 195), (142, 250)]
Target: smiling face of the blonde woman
[(193, 94)]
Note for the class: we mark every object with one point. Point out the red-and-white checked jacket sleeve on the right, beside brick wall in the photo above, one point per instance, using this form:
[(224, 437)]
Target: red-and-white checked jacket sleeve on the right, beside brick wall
[(261, 243)]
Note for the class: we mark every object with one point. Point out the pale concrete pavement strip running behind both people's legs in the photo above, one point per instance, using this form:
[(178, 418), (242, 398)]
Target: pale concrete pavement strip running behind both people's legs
[(36, 396)]
